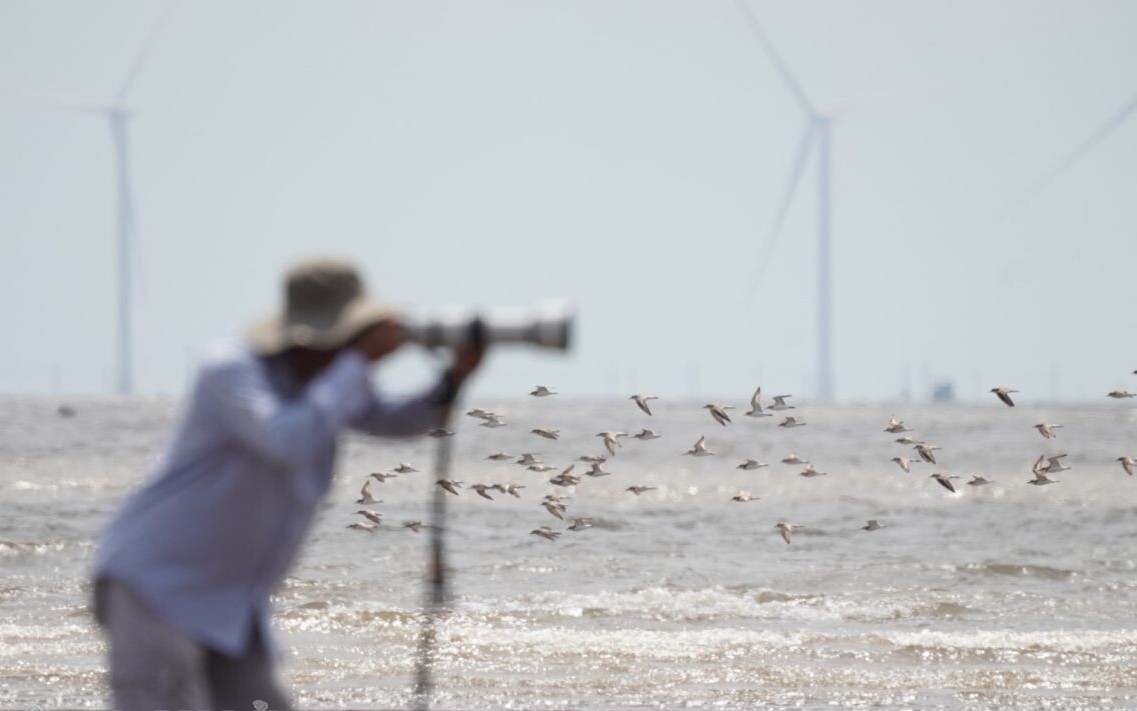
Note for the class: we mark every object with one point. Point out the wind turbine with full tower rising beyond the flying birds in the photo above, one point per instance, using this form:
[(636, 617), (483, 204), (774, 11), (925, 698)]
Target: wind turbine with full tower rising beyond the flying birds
[(817, 133)]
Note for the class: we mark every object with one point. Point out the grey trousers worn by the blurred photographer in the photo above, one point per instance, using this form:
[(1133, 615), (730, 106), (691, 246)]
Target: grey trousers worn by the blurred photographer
[(156, 667)]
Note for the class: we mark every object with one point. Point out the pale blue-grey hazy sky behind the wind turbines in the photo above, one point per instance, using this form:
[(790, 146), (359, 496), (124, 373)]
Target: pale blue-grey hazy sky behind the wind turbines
[(626, 155)]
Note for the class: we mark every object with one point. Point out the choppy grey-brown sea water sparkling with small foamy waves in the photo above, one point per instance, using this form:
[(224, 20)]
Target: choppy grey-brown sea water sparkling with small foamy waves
[(997, 598)]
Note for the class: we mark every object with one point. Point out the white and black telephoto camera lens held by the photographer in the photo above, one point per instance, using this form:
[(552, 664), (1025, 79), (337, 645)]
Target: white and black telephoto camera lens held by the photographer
[(546, 326)]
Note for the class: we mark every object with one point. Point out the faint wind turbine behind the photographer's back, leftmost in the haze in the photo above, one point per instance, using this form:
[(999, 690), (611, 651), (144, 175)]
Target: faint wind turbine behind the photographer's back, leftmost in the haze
[(119, 118)]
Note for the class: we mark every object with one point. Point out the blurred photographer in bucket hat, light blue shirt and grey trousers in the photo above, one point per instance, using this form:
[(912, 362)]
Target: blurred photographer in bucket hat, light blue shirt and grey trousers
[(185, 571)]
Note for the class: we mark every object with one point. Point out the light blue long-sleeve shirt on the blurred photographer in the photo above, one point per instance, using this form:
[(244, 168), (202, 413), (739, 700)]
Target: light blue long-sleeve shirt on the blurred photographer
[(221, 518)]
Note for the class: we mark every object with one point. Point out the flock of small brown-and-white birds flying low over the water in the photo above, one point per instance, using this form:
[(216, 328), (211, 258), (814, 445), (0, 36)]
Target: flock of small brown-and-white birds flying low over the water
[(1043, 468)]
